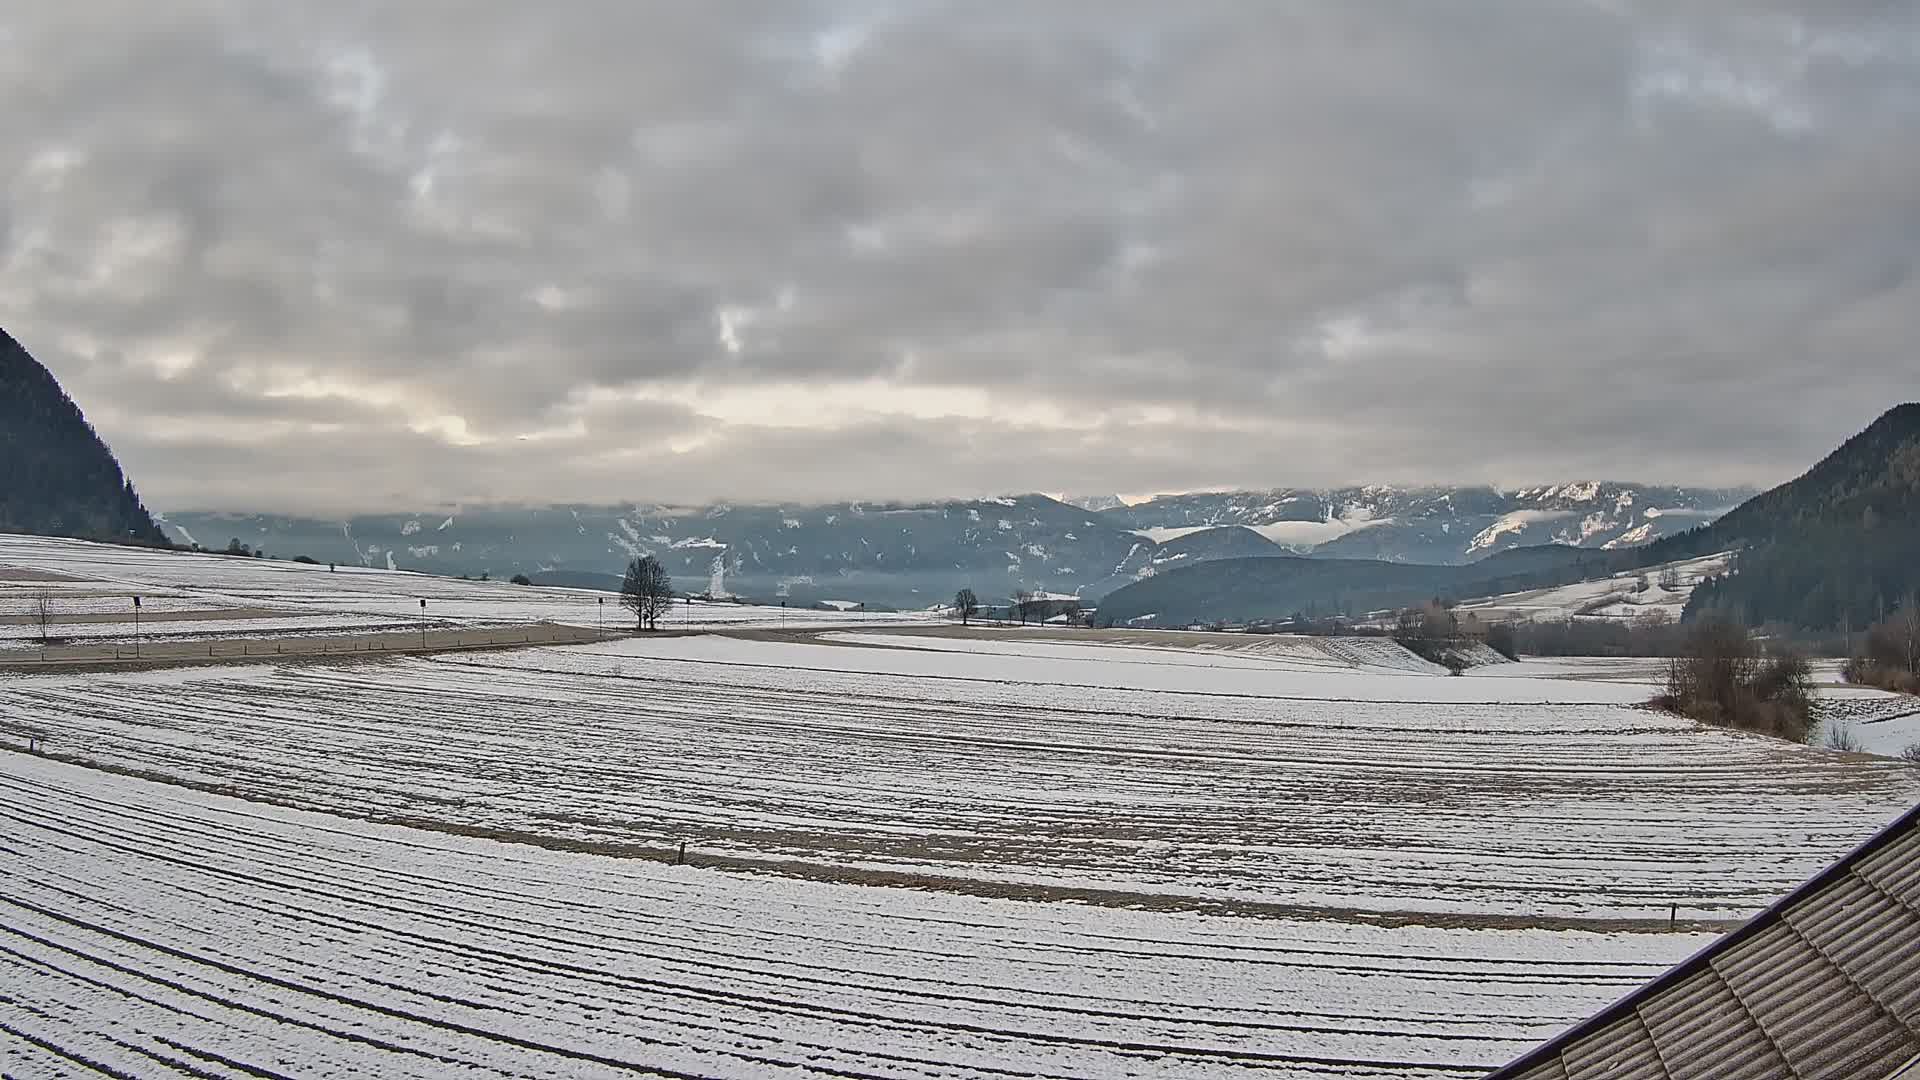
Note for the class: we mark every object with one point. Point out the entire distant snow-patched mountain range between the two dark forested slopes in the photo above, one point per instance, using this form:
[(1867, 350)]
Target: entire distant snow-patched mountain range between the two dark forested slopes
[(919, 554)]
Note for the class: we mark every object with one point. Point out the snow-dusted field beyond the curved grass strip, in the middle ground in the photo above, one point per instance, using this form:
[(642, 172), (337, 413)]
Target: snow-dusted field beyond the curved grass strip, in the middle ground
[(1228, 783)]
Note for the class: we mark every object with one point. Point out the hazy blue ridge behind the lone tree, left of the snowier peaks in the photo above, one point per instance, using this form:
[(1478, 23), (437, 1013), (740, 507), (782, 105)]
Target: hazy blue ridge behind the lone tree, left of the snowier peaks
[(886, 554)]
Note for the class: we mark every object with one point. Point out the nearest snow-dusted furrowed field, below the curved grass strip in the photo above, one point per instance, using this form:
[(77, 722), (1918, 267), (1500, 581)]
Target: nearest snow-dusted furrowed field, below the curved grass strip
[(156, 931)]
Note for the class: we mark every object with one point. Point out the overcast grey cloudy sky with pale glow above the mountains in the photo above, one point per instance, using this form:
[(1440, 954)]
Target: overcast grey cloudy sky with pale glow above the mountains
[(370, 255)]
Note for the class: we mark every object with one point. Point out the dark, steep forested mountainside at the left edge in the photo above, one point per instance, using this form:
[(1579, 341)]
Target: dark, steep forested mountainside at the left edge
[(60, 479)]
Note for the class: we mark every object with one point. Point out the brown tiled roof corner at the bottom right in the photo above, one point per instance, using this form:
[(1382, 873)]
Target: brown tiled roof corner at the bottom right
[(1823, 985)]
